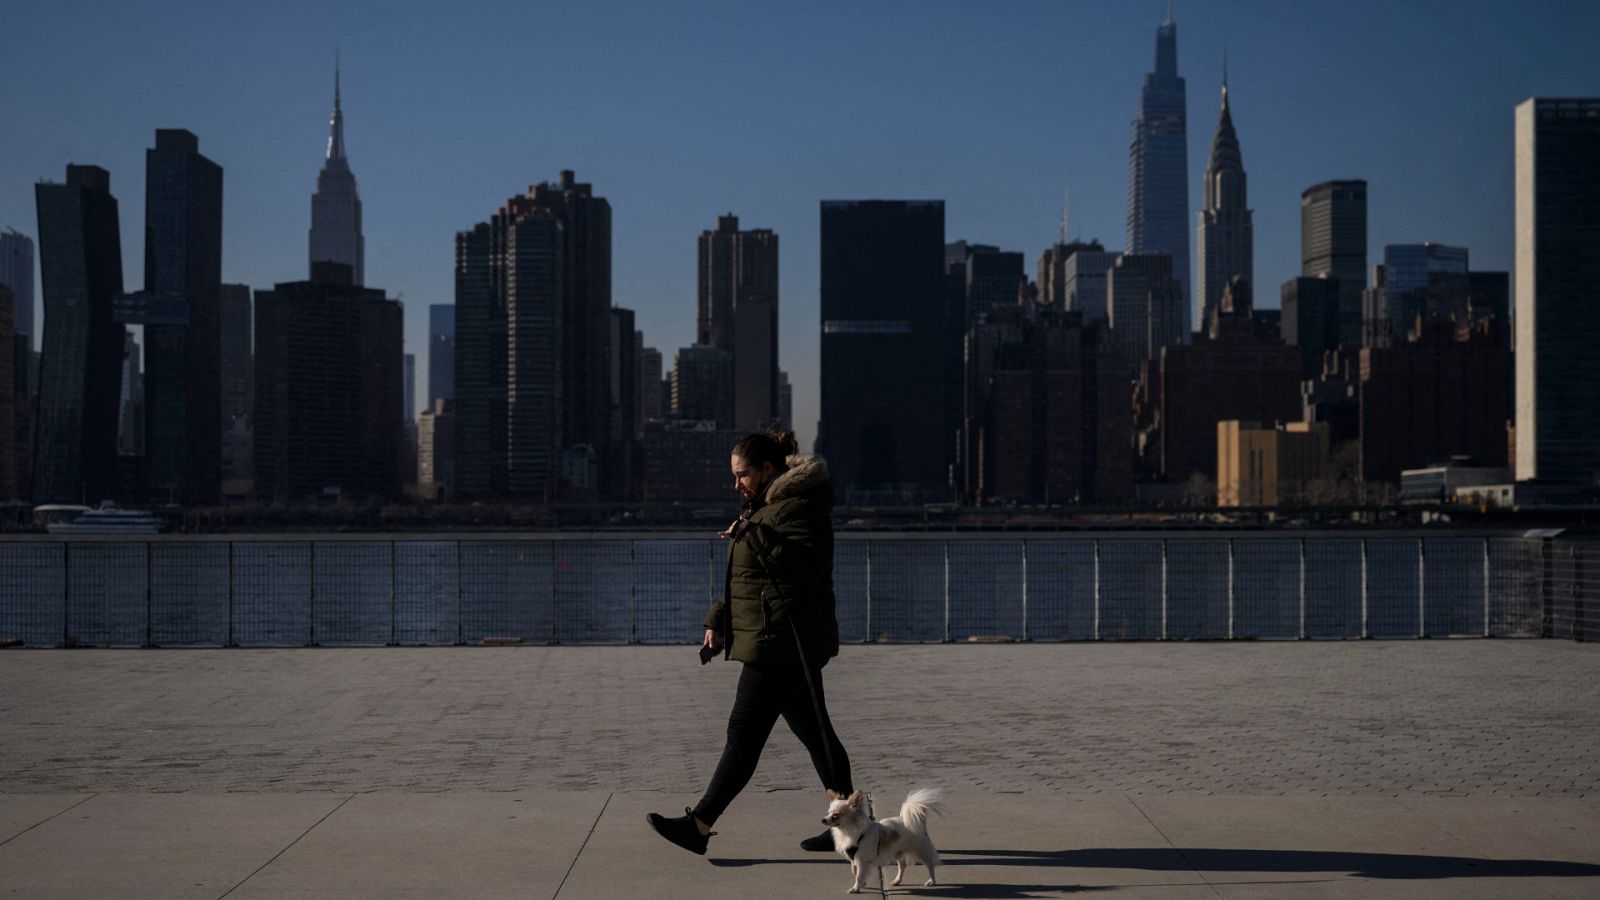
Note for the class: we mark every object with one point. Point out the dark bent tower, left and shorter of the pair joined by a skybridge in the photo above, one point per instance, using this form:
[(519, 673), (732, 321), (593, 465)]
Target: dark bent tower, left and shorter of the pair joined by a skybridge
[(81, 376)]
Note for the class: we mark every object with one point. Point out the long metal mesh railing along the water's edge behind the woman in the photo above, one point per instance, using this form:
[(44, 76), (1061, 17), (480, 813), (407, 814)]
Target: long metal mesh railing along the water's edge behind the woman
[(270, 592)]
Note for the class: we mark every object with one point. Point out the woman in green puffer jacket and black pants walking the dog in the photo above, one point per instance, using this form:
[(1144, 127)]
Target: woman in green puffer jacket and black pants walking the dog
[(777, 617)]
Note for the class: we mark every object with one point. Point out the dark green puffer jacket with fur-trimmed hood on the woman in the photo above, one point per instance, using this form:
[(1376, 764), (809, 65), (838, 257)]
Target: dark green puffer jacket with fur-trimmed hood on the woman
[(782, 573)]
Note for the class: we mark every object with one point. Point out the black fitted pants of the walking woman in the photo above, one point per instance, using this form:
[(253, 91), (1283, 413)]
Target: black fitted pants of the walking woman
[(766, 694)]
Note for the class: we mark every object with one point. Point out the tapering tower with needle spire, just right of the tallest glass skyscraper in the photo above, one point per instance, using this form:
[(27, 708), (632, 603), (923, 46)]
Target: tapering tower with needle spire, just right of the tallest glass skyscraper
[(1225, 239)]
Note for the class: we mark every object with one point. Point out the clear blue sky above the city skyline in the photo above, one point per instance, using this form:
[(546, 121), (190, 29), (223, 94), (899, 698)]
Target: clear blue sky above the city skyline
[(684, 111)]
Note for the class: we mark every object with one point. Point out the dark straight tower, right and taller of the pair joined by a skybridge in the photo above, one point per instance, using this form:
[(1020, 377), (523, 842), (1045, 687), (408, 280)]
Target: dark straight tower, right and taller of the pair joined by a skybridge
[(182, 316)]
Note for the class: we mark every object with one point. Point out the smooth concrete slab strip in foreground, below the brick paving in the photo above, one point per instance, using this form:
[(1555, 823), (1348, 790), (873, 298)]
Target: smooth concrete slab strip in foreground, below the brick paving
[(594, 845)]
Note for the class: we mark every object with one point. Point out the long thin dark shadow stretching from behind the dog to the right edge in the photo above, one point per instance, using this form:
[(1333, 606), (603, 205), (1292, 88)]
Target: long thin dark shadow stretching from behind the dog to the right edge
[(1206, 859)]
